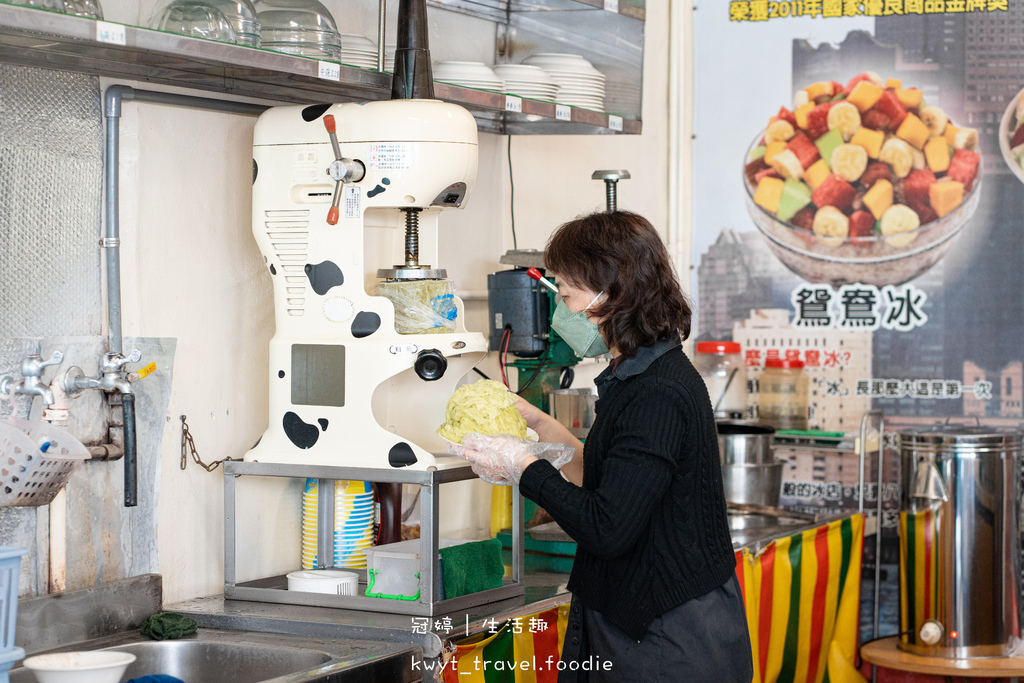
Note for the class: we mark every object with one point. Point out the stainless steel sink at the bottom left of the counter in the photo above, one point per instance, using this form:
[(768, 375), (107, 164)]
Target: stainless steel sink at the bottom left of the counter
[(222, 657)]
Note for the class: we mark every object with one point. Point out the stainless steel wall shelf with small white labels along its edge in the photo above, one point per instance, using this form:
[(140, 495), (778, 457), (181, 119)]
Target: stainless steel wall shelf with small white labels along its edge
[(38, 38)]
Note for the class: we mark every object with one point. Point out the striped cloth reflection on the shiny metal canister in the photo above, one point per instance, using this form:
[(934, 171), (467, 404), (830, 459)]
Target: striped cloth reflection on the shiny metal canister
[(919, 562)]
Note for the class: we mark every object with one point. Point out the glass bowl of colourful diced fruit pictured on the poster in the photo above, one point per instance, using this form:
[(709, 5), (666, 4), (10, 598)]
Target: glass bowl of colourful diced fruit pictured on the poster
[(864, 183)]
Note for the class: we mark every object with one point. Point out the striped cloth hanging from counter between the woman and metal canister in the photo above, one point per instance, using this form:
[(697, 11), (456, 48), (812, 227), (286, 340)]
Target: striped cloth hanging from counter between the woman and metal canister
[(802, 595)]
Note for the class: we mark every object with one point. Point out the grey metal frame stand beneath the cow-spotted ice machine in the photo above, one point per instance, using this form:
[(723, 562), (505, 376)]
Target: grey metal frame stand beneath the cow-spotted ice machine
[(275, 589)]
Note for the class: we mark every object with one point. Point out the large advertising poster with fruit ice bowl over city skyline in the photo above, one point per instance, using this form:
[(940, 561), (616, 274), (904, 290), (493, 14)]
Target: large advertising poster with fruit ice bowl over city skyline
[(860, 207)]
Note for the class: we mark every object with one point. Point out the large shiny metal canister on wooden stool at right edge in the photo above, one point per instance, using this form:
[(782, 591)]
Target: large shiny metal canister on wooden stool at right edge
[(960, 541)]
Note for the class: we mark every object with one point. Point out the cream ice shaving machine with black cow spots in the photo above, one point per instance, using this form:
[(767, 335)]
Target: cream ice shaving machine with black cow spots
[(370, 339)]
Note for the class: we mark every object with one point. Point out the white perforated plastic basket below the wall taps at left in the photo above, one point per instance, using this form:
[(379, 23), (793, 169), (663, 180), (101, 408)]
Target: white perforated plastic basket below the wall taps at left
[(36, 460)]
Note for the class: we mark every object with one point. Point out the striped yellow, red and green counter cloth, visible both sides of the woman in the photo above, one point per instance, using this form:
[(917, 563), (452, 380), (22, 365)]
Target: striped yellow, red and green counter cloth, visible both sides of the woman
[(802, 595)]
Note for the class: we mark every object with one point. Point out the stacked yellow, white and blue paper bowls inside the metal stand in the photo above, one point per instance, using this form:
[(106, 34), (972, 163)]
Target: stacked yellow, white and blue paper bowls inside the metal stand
[(354, 525)]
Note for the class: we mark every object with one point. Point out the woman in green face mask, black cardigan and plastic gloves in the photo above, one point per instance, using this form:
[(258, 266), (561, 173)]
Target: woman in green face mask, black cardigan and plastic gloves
[(655, 593)]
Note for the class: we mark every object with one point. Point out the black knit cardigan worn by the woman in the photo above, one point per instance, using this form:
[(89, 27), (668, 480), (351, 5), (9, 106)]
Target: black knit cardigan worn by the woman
[(650, 521)]
